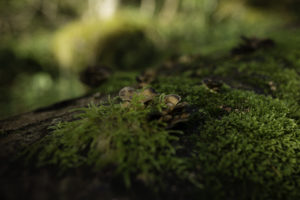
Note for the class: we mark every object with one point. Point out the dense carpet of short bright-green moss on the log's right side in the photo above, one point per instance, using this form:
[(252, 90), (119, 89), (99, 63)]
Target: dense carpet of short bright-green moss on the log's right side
[(245, 146)]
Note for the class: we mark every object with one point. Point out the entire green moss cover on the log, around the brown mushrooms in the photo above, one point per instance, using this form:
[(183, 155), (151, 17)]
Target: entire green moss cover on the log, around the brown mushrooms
[(242, 141)]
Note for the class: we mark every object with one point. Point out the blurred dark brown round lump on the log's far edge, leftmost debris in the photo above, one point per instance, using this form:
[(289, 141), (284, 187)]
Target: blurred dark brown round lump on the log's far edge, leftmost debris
[(94, 76)]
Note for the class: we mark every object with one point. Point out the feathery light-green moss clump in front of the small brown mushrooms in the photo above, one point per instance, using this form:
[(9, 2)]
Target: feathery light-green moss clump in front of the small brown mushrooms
[(110, 137)]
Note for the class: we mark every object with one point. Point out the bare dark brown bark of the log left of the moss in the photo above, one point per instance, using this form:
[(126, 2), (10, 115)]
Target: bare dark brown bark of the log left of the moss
[(22, 131)]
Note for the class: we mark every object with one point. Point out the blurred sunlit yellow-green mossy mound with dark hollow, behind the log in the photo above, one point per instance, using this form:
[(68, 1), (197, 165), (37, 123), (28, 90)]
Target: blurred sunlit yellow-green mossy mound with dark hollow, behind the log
[(119, 43)]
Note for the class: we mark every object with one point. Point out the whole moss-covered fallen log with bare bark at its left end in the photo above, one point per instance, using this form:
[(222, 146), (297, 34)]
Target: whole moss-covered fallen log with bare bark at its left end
[(241, 140)]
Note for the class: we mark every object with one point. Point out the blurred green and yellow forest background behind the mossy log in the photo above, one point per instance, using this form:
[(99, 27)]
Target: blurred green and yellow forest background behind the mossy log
[(44, 45)]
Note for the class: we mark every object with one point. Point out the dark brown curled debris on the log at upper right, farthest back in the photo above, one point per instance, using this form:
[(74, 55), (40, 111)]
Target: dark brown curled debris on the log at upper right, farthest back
[(250, 45)]
